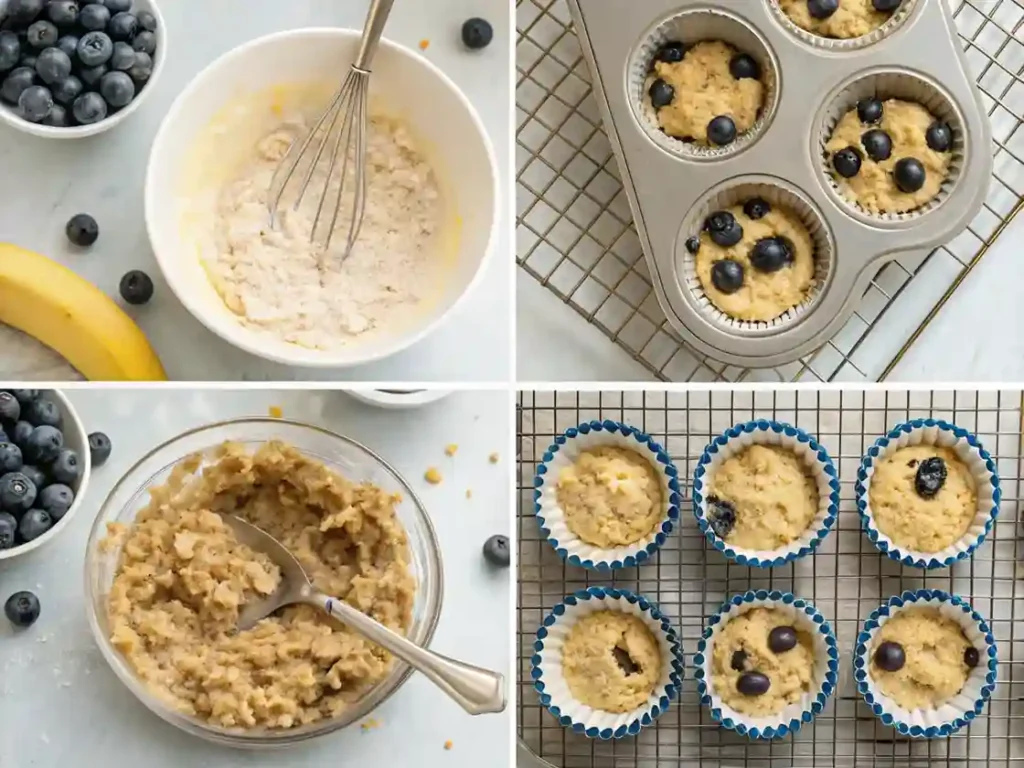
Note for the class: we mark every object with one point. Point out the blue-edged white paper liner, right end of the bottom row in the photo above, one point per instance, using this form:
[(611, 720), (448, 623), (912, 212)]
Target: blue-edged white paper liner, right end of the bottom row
[(963, 708)]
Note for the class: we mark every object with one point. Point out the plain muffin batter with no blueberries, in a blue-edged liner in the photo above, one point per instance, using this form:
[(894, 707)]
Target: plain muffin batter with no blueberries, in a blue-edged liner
[(611, 496)]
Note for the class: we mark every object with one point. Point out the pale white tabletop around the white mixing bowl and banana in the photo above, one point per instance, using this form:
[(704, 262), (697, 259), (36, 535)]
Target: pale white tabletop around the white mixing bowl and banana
[(104, 177)]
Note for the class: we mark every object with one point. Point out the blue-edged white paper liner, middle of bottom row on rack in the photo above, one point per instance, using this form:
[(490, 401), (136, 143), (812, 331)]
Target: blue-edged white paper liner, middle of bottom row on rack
[(806, 618)]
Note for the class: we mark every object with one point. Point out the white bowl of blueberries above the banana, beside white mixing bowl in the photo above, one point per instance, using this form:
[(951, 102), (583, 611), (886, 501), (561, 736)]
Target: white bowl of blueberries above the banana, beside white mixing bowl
[(71, 69)]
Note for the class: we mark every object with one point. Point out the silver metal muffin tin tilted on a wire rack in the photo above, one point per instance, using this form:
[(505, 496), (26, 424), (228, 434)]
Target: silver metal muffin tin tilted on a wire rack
[(916, 57)]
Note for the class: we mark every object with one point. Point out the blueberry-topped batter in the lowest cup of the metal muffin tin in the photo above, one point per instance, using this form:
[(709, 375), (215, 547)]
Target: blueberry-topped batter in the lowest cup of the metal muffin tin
[(761, 292)]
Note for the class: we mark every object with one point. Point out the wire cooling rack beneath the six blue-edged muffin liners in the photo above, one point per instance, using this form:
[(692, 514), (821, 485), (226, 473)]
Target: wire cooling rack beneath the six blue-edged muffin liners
[(847, 579)]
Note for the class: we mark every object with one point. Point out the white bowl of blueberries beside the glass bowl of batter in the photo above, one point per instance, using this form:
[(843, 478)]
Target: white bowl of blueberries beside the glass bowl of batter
[(46, 461)]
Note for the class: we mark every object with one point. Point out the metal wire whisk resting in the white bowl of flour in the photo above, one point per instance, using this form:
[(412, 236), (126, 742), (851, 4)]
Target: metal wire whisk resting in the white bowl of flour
[(344, 124)]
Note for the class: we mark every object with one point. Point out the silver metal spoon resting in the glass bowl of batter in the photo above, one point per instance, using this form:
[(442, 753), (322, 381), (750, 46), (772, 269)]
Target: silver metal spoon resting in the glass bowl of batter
[(478, 691)]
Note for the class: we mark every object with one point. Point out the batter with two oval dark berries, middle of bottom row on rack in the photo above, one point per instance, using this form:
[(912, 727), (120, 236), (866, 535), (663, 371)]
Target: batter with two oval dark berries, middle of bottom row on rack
[(743, 648)]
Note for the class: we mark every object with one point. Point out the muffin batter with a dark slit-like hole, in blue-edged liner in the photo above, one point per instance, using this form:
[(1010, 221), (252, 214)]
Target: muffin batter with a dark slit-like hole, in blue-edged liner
[(612, 662)]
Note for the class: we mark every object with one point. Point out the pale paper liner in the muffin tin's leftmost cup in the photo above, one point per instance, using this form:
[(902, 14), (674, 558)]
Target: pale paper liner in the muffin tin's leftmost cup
[(695, 26)]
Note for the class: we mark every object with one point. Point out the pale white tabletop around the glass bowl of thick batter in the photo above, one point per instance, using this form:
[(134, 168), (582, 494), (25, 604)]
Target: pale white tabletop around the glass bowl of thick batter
[(62, 706)]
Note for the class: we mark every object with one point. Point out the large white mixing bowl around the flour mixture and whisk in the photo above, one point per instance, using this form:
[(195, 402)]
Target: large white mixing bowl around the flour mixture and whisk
[(439, 115)]
